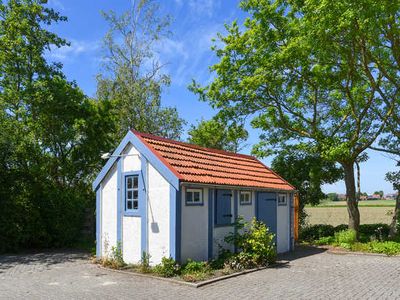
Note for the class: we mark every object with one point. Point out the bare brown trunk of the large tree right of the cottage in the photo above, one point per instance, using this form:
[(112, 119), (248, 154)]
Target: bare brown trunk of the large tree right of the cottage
[(351, 198)]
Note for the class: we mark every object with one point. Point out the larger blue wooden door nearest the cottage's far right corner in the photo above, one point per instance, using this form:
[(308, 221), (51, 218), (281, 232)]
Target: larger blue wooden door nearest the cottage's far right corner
[(266, 210)]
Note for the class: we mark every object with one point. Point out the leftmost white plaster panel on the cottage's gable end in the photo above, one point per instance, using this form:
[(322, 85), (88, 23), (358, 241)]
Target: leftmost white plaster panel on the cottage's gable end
[(109, 212)]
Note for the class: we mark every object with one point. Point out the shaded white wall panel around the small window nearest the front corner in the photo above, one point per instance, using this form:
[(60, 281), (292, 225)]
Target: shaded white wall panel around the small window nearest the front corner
[(194, 236)]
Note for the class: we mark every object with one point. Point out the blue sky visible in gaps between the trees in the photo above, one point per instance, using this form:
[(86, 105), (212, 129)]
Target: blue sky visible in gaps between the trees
[(187, 56)]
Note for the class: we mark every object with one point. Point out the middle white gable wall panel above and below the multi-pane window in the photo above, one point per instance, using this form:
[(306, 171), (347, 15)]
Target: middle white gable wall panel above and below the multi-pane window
[(131, 225)]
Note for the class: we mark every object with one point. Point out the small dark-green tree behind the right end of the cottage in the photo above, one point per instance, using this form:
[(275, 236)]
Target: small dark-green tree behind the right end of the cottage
[(307, 173)]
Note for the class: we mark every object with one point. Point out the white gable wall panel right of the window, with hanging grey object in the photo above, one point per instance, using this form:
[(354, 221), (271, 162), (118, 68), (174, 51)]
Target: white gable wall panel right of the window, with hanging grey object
[(158, 216)]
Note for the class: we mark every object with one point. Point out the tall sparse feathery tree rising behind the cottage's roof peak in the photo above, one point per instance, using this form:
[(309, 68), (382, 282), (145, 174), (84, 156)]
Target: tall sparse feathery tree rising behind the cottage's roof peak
[(133, 80)]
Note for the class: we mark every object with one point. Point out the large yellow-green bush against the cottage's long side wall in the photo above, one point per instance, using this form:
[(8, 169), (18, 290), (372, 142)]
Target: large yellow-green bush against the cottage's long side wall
[(255, 243)]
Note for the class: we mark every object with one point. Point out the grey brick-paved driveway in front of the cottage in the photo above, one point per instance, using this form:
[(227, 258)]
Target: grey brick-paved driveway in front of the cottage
[(308, 275)]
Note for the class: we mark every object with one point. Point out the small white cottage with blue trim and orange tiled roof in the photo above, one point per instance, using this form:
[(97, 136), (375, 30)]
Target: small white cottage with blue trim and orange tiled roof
[(174, 199)]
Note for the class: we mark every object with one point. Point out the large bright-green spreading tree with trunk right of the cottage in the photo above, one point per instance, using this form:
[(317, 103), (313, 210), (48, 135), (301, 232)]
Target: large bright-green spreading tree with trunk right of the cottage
[(319, 74)]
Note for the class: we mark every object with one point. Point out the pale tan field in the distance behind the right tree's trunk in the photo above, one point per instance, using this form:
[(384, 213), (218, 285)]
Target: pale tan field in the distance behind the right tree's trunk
[(335, 213)]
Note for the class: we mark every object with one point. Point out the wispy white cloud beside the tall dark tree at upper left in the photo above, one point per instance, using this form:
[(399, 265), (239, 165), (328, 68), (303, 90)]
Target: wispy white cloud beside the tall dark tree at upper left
[(76, 48)]
